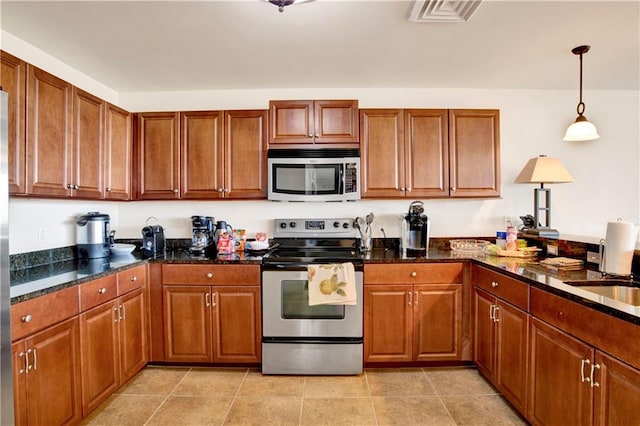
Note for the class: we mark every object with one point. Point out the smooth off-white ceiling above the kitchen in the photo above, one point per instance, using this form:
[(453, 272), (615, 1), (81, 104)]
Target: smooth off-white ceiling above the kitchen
[(158, 46)]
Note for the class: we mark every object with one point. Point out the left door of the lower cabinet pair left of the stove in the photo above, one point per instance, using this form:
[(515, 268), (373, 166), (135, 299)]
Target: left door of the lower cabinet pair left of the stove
[(187, 323)]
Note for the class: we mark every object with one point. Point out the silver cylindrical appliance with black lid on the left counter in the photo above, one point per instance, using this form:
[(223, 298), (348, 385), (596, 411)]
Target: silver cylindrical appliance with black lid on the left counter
[(92, 235)]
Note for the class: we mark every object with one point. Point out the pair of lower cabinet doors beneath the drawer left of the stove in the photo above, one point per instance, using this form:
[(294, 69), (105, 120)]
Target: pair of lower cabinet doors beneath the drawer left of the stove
[(212, 324)]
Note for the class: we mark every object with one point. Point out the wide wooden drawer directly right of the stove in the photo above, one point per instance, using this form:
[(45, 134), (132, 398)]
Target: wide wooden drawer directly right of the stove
[(414, 273)]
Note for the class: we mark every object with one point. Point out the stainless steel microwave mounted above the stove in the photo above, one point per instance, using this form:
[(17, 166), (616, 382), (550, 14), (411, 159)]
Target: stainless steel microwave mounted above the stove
[(326, 174)]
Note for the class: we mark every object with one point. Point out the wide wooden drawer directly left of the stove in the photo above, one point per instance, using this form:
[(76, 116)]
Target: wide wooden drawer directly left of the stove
[(211, 274)]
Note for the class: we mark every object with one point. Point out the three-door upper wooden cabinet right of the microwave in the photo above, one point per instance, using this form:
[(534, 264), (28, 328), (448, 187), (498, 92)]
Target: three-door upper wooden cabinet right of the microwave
[(422, 153)]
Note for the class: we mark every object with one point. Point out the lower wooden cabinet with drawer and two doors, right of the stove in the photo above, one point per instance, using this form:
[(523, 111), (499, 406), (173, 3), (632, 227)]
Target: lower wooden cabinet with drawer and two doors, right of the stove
[(413, 322)]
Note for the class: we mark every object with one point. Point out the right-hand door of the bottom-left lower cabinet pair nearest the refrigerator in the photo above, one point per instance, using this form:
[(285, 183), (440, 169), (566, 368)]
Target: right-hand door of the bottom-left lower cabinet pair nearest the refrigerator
[(53, 385)]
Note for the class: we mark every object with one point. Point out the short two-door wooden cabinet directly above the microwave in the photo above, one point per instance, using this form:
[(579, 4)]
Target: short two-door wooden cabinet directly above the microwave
[(314, 122)]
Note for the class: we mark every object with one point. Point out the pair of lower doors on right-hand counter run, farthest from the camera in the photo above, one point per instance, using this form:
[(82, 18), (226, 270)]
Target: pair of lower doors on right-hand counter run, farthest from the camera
[(501, 346)]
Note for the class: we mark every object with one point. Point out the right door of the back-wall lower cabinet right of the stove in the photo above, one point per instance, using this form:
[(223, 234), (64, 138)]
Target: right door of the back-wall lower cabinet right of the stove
[(437, 322)]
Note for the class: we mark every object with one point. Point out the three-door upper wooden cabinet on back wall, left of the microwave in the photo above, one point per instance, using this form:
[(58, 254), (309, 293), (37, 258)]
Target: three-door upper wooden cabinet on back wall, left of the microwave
[(202, 155)]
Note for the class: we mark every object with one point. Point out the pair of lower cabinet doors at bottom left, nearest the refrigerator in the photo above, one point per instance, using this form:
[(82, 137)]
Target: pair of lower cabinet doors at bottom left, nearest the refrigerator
[(46, 377)]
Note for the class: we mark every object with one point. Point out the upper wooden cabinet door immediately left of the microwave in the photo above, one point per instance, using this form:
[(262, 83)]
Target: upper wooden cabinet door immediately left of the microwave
[(245, 154)]
